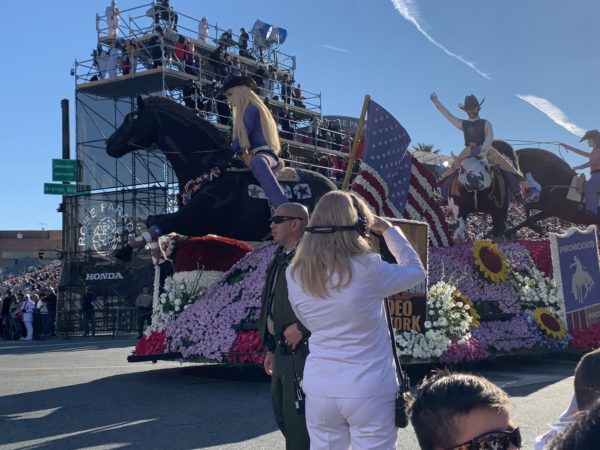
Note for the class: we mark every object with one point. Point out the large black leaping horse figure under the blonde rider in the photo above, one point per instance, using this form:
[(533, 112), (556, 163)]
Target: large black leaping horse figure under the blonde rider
[(225, 197)]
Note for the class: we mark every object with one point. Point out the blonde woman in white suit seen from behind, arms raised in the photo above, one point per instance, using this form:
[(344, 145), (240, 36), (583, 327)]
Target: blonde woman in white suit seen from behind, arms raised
[(337, 286)]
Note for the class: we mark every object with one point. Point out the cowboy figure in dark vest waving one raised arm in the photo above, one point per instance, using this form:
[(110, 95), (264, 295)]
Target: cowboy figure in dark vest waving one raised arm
[(478, 143)]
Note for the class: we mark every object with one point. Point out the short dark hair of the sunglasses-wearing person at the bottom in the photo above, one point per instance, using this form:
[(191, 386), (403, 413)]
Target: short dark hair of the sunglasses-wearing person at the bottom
[(444, 396)]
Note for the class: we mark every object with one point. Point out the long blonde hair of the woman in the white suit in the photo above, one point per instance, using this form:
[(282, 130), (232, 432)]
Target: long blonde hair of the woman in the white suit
[(322, 258)]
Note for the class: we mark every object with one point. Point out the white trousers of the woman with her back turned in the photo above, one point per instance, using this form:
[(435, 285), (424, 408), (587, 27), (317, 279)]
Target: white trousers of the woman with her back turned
[(357, 423)]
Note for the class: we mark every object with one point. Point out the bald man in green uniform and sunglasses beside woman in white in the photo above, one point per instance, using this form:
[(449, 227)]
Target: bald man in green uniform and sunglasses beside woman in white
[(285, 338)]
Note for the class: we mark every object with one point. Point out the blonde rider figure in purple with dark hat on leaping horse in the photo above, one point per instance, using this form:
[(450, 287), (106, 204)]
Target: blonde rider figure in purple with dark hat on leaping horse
[(255, 135)]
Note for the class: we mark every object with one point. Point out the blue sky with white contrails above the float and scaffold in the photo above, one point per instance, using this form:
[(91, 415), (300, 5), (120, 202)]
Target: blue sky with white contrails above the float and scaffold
[(536, 62)]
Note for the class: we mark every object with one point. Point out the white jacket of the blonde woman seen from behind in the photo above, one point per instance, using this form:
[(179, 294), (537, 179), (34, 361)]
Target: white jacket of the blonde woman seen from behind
[(350, 347)]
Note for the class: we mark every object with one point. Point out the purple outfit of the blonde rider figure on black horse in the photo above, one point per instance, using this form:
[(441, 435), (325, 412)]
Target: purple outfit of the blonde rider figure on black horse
[(261, 169)]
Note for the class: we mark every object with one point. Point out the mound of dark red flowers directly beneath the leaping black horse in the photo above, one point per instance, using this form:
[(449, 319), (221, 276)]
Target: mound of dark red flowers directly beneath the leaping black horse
[(209, 252)]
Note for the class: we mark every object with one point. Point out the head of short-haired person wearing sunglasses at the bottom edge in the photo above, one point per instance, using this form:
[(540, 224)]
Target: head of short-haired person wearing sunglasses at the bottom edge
[(454, 411)]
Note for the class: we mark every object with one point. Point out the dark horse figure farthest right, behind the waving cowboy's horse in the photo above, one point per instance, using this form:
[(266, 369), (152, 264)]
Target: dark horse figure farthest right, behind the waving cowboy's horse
[(555, 177)]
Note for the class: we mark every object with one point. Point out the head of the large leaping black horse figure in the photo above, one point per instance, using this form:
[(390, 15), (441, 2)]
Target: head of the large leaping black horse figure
[(137, 131)]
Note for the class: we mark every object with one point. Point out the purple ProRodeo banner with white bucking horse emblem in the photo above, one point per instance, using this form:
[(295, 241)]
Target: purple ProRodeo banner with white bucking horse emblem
[(577, 275)]
